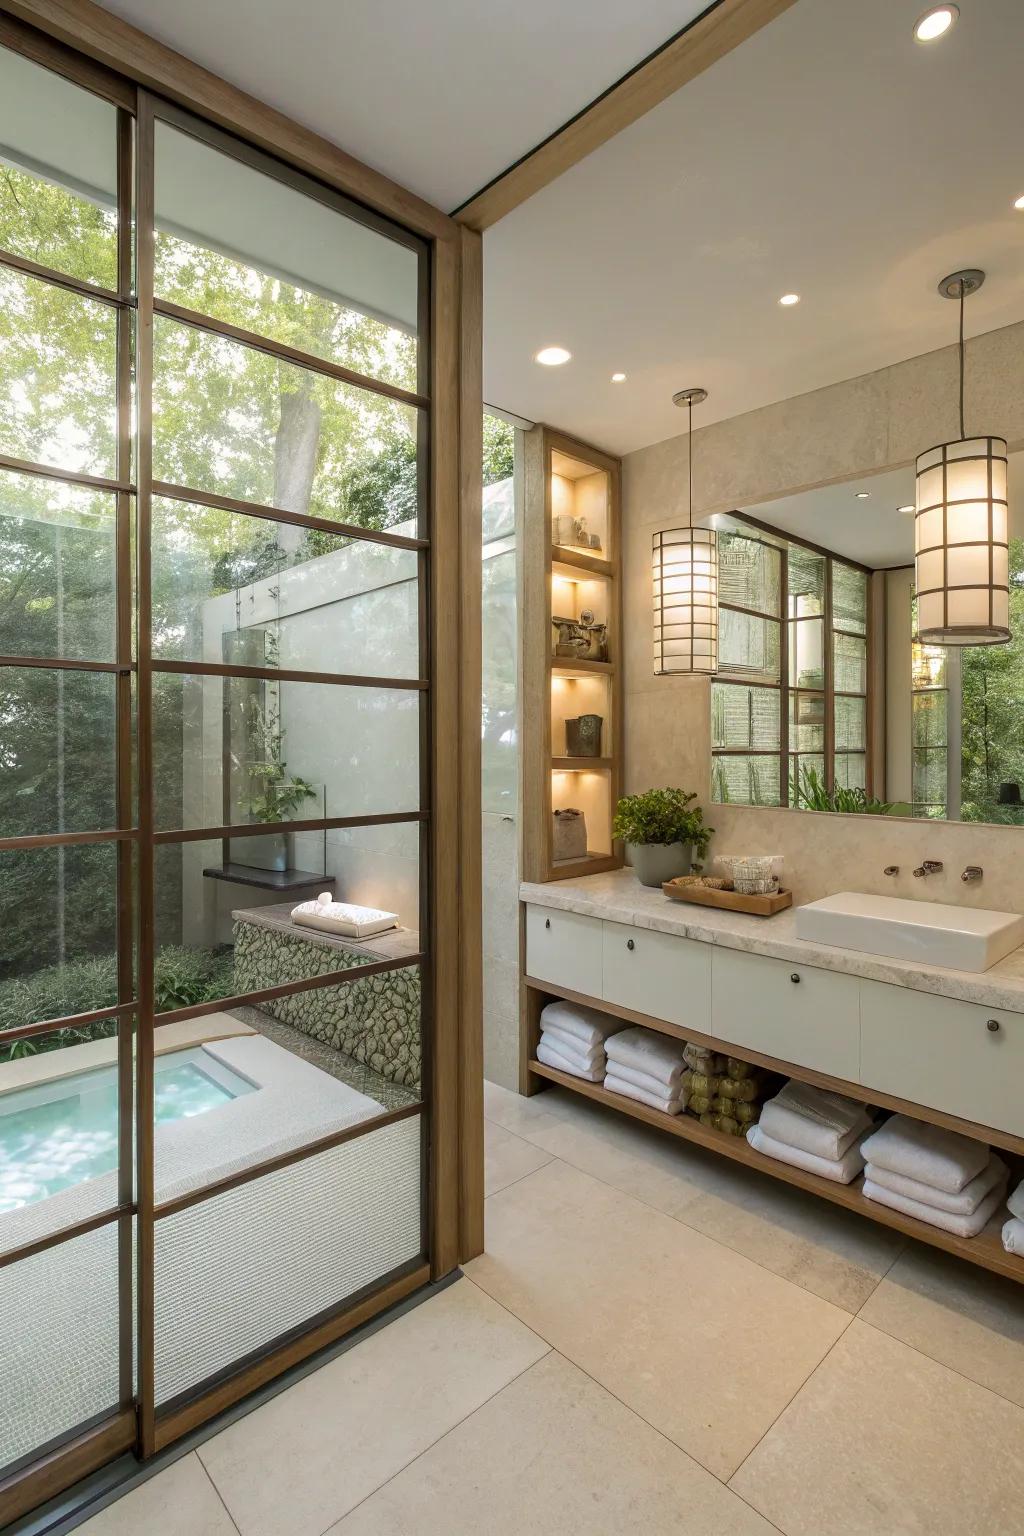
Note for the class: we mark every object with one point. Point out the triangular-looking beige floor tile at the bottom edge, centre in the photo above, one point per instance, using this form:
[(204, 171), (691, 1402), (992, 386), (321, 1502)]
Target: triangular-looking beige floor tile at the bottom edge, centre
[(553, 1455)]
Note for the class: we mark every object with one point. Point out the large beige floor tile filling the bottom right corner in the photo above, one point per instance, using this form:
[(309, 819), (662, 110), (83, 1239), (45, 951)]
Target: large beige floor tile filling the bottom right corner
[(887, 1443)]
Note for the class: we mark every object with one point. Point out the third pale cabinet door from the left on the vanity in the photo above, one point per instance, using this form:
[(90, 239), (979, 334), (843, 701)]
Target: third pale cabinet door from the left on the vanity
[(791, 1011)]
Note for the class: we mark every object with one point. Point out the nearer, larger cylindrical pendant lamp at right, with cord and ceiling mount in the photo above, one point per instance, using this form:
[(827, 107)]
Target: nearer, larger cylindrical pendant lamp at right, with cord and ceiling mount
[(962, 526)]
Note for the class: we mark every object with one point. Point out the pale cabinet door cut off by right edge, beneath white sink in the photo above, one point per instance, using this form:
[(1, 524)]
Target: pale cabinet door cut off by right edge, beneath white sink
[(946, 1054)]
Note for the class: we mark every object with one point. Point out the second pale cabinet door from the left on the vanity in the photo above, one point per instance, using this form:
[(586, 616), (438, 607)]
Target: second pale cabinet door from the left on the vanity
[(658, 975)]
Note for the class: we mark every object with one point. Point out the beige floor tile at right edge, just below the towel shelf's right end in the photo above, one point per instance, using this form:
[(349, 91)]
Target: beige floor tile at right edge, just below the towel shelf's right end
[(960, 1316)]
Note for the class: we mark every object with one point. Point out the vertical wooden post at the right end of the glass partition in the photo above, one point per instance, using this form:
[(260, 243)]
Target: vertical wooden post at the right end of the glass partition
[(471, 703)]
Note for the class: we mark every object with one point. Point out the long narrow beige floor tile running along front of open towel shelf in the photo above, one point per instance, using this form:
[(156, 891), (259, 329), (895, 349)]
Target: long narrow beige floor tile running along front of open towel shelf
[(836, 1254)]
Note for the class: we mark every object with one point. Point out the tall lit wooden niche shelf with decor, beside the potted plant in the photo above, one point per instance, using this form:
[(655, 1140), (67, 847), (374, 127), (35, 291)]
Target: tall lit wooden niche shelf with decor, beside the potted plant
[(572, 568)]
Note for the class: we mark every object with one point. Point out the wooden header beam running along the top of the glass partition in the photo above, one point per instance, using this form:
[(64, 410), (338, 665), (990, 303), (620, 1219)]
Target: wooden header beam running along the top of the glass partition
[(124, 48)]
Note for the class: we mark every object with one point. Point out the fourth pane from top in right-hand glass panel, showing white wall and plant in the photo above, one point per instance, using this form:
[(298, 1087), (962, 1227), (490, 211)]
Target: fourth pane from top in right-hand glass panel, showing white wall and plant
[(231, 750)]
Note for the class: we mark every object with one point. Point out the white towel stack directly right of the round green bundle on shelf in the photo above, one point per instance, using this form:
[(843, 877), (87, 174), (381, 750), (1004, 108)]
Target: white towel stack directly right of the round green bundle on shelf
[(813, 1130)]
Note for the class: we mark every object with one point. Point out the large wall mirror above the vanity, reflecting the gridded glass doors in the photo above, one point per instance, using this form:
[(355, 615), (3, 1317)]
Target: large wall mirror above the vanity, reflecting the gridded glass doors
[(827, 697)]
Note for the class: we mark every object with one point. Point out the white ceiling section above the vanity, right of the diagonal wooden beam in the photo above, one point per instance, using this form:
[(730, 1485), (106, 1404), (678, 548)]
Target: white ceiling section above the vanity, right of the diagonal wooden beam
[(831, 156)]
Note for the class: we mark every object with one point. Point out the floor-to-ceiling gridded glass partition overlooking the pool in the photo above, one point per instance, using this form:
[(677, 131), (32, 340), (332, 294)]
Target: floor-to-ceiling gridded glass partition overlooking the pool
[(214, 658)]
